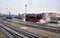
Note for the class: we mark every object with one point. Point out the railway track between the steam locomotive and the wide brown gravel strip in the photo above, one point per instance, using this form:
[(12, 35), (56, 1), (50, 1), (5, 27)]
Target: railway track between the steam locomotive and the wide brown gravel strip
[(40, 26)]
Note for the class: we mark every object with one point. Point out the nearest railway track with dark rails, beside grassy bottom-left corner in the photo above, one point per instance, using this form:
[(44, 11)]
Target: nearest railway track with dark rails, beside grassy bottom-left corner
[(8, 33)]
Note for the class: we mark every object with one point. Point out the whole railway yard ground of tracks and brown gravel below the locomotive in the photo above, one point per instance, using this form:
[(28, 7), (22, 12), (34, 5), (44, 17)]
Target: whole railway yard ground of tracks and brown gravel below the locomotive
[(22, 29)]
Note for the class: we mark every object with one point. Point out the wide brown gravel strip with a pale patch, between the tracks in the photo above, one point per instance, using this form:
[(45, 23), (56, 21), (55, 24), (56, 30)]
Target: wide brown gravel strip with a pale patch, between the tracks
[(37, 31)]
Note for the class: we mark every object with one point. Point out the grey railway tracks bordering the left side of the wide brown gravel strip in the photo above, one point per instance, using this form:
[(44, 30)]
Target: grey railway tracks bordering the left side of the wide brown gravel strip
[(18, 33)]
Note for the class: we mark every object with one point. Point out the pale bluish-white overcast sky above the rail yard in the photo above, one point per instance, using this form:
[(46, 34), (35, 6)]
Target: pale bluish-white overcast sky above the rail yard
[(33, 6)]
